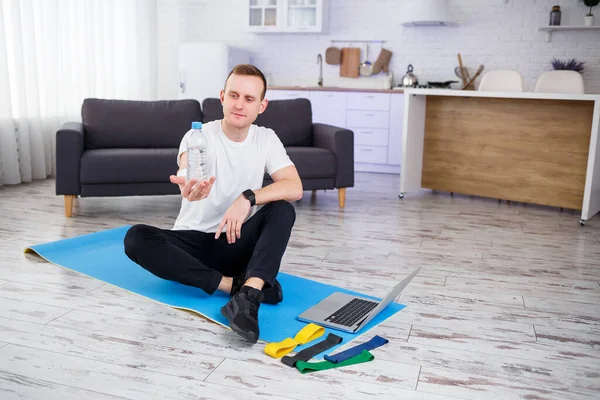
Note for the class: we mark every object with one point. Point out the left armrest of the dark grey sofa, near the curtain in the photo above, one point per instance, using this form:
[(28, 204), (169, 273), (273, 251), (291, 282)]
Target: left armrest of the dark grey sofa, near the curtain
[(69, 149)]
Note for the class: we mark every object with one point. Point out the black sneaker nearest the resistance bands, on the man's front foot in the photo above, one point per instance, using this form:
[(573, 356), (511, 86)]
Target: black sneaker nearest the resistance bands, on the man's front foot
[(242, 312)]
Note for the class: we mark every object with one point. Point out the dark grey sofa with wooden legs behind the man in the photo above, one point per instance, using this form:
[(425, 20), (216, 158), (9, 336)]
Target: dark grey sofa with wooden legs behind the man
[(129, 148)]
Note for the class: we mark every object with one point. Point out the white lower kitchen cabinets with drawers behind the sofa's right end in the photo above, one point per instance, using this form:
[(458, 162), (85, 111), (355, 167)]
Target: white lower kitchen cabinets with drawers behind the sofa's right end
[(374, 117)]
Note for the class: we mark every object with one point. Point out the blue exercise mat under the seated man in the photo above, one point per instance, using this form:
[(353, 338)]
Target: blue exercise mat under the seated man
[(101, 255)]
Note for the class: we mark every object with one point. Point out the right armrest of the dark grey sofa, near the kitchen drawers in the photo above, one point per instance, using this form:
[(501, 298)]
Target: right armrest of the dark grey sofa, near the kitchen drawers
[(340, 142)]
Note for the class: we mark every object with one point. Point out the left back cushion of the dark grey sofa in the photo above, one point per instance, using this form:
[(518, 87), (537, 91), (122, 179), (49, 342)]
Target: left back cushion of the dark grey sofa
[(137, 124)]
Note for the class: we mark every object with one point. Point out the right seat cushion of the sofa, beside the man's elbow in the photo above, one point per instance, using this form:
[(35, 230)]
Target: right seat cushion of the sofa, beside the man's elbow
[(312, 162)]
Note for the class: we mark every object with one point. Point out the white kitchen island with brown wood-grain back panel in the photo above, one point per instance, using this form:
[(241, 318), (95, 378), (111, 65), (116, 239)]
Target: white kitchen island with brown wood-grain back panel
[(539, 148)]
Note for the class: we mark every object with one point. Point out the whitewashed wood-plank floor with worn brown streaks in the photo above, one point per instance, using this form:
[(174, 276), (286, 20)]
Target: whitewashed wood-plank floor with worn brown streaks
[(506, 306)]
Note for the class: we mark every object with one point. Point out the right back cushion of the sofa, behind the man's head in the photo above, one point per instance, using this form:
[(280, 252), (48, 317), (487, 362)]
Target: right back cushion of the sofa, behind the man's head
[(290, 119)]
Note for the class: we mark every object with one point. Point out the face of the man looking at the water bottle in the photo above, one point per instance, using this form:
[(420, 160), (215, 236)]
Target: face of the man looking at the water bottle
[(241, 100)]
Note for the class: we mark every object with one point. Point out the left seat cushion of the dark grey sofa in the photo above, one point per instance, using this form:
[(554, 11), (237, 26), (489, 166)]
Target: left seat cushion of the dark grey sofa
[(128, 165)]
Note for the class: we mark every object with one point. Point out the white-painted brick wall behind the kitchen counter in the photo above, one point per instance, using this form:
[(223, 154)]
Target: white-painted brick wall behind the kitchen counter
[(496, 33)]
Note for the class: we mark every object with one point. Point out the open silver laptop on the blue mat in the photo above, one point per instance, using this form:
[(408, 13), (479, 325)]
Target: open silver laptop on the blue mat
[(349, 313)]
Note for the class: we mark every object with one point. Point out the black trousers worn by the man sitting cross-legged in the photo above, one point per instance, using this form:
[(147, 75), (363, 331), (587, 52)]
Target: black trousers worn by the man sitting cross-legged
[(198, 259)]
